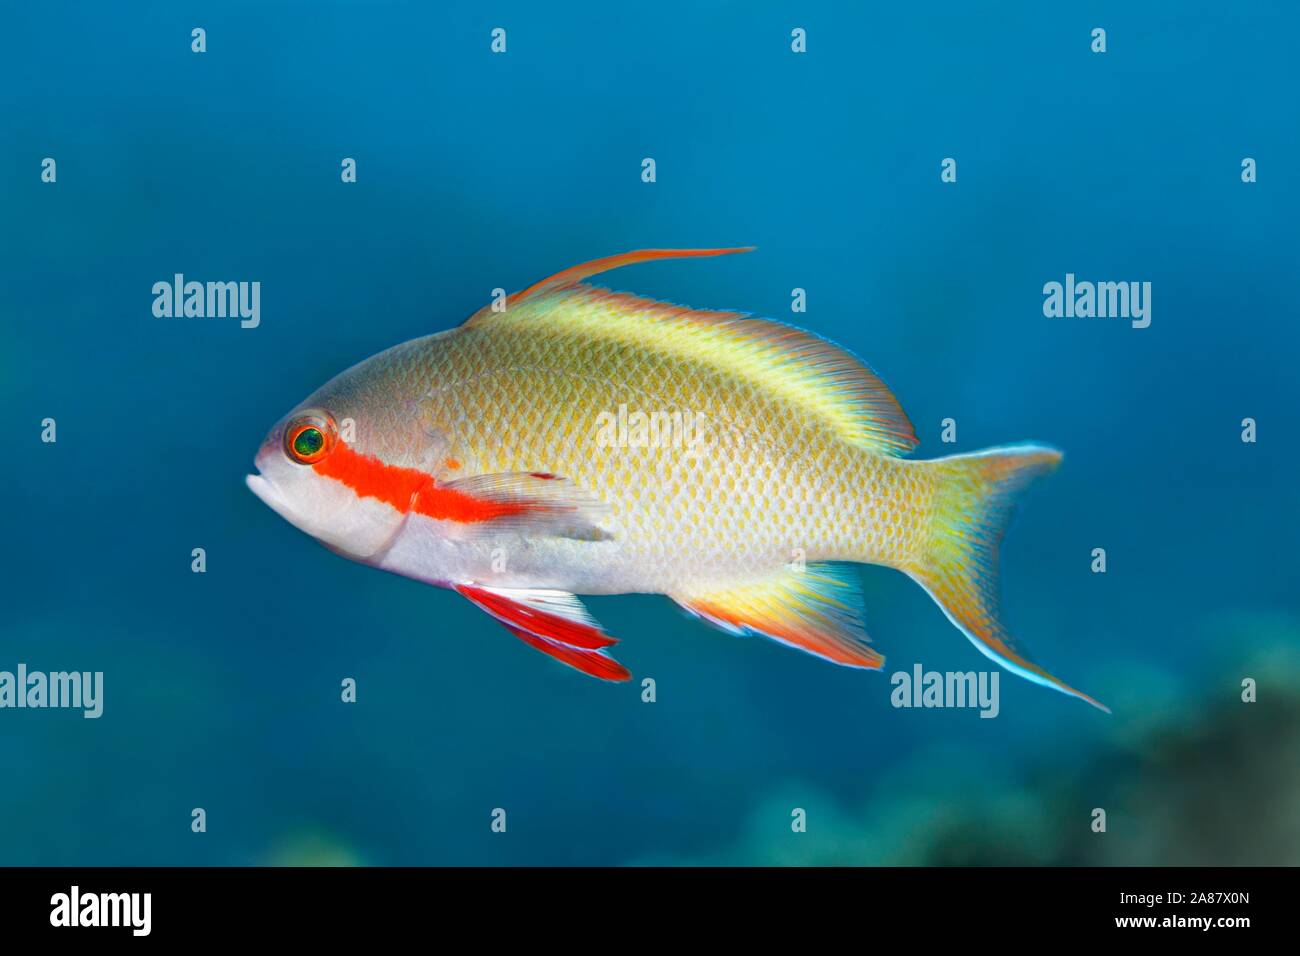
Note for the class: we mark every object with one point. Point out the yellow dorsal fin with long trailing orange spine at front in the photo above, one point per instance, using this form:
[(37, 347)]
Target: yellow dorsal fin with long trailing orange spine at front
[(830, 383)]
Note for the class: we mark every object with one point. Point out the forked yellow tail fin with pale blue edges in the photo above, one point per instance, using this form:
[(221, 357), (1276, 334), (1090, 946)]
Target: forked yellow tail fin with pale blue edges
[(959, 564)]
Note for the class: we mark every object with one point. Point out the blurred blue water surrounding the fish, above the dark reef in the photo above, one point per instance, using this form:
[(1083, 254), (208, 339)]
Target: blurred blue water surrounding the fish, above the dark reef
[(480, 171)]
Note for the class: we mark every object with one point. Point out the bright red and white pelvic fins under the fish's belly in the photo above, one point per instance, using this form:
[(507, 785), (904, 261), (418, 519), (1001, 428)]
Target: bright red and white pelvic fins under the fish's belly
[(554, 622)]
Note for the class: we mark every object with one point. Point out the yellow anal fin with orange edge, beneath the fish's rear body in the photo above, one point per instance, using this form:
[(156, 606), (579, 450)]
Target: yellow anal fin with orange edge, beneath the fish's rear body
[(817, 609)]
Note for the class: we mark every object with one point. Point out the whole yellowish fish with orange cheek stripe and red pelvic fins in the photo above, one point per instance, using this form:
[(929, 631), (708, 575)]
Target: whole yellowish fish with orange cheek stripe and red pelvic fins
[(573, 440)]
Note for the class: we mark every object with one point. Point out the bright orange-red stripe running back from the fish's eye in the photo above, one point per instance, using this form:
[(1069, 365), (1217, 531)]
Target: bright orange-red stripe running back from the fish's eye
[(410, 490)]
